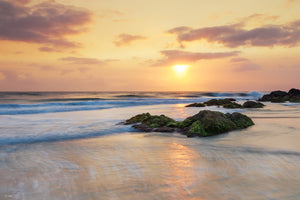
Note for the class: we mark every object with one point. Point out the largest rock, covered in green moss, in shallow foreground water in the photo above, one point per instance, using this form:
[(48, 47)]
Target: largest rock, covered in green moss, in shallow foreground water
[(205, 123)]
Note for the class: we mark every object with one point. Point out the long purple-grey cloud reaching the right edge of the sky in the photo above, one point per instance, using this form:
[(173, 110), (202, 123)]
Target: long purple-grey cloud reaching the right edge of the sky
[(236, 35)]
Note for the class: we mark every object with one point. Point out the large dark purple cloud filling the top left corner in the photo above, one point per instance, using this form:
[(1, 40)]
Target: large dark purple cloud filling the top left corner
[(45, 23)]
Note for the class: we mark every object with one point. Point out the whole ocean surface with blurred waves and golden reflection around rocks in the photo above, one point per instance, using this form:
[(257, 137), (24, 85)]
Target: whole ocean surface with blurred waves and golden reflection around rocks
[(70, 145)]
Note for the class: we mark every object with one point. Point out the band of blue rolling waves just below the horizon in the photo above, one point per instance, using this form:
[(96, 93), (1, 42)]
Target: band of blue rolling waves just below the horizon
[(52, 105)]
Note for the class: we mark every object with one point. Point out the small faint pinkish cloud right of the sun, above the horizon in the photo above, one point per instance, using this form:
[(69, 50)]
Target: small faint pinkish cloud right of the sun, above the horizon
[(244, 64)]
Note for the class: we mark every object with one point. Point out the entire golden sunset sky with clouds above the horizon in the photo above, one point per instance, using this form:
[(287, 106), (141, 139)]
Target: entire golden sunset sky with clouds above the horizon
[(133, 45)]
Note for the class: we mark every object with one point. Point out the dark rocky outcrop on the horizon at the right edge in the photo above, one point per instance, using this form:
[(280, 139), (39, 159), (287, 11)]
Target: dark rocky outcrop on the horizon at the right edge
[(281, 96)]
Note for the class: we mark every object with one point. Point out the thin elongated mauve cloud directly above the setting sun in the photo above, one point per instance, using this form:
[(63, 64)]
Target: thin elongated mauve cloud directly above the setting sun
[(184, 57)]
